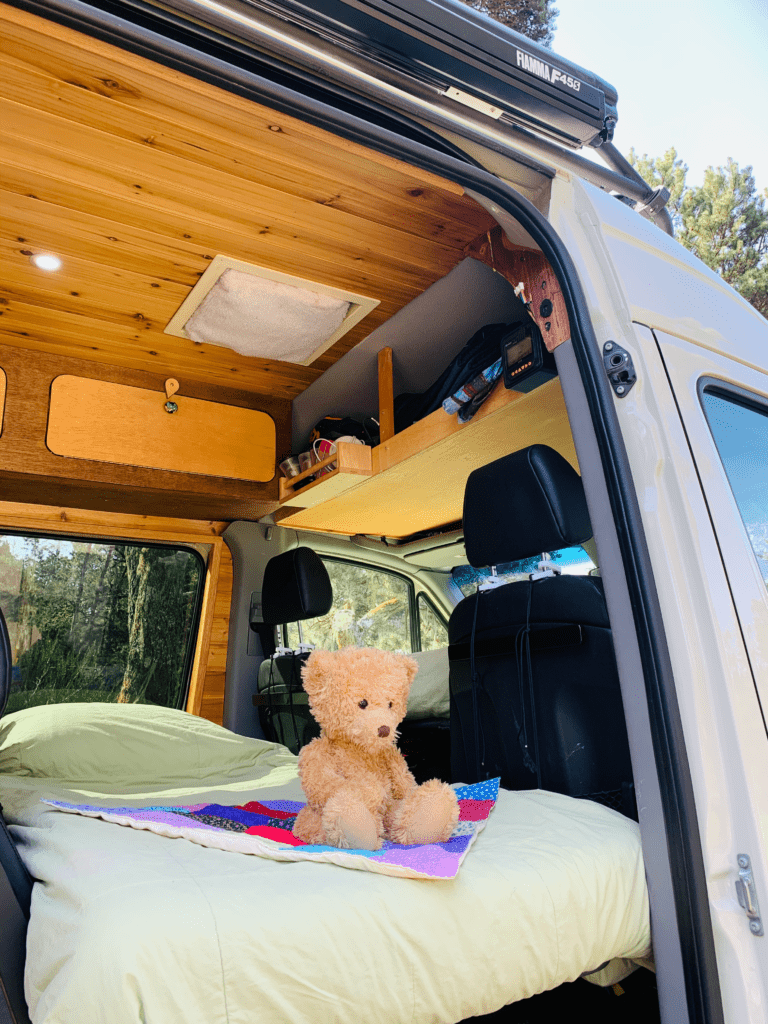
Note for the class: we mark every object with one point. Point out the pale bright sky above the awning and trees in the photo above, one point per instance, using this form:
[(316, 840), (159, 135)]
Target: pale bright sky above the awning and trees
[(693, 74)]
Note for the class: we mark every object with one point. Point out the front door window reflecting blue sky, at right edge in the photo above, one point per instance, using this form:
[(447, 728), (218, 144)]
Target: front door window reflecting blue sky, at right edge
[(740, 429)]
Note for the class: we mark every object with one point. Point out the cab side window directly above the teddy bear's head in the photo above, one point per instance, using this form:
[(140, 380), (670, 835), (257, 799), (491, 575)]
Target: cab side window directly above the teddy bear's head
[(372, 609)]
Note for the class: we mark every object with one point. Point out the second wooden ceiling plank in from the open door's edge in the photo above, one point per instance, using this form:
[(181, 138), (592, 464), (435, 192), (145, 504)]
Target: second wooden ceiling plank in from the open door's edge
[(333, 183)]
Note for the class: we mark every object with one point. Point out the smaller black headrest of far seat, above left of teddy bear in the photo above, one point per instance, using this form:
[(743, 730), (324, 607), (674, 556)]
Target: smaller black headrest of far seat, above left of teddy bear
[(296, 587)]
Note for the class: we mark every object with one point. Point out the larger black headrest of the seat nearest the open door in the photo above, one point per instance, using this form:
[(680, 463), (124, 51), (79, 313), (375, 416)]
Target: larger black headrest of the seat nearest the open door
[(524, 504)]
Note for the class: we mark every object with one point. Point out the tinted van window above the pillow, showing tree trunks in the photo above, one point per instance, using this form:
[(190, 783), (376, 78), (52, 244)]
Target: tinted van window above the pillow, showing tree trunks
[(99, 620)]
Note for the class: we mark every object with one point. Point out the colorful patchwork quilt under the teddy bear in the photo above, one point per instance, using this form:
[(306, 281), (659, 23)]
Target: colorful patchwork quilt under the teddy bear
[(265, 829)]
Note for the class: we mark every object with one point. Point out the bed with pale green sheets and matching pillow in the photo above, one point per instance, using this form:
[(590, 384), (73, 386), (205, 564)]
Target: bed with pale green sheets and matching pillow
[(130, 926)]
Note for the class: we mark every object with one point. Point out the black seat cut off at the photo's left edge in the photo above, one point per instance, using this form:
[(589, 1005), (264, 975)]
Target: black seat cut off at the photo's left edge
[(16, 888)]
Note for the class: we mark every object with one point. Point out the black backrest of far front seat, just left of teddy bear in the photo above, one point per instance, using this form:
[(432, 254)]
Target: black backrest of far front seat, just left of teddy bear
[(283, 704)]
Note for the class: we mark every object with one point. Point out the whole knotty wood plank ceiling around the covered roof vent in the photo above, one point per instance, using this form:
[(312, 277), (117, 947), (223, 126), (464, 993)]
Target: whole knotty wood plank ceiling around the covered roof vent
[(137, 177)]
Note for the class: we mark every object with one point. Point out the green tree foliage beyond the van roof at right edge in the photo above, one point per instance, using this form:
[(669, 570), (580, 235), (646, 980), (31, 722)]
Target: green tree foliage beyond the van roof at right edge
[(724, 222)]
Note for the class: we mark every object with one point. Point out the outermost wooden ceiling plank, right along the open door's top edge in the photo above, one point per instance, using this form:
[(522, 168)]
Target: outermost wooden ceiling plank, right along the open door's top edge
[(67, 48)]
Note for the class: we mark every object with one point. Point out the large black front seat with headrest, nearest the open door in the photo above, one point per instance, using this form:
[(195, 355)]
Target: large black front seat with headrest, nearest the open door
[(535, 695)]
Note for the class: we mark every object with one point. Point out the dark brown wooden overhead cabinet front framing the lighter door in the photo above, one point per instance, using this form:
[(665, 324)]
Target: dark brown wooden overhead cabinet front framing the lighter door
[(31, 473)]
